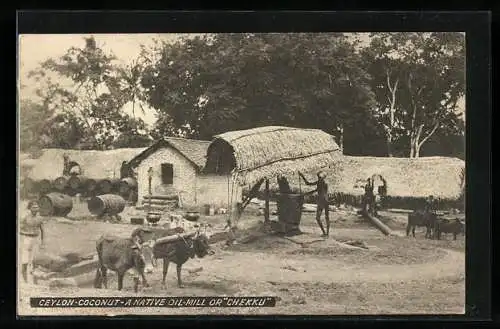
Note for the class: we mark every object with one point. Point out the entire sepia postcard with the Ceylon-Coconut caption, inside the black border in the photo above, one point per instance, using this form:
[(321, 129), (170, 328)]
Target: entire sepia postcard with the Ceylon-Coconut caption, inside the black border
[(241, 173)]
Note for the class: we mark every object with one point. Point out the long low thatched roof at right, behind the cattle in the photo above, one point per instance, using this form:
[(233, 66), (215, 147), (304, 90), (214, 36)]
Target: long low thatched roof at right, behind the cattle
[(421, 177)]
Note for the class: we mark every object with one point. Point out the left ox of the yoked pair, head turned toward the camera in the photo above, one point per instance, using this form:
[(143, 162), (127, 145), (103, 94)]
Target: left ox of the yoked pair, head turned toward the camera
[(122, 255)]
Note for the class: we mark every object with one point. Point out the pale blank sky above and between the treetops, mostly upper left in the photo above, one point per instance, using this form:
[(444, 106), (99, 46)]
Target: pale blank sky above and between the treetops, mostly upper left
[(36, 48)]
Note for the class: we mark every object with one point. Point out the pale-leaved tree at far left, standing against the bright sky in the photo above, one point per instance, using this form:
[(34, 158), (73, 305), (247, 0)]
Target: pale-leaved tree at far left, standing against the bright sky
[(93, 97)]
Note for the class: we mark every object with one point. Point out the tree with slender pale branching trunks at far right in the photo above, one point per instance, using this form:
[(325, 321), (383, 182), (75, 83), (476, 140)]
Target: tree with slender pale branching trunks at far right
[(418, 78)]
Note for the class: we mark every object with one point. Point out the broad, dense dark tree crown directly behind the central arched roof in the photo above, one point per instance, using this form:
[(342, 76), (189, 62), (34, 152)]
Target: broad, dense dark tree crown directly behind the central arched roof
[(211, 84)]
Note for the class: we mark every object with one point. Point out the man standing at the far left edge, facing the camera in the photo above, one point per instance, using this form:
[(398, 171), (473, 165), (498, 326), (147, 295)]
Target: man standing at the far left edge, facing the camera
[(31, 229)]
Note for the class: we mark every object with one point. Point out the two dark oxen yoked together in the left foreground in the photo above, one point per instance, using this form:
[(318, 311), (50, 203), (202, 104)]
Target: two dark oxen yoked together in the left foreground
[(139, 253)]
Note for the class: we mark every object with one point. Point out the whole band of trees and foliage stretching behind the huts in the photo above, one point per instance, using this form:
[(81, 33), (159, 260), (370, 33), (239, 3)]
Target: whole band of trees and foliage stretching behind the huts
[(396, 96)]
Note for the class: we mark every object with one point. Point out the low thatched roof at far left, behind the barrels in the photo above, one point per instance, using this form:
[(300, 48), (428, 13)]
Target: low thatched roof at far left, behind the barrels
[(94, 164)]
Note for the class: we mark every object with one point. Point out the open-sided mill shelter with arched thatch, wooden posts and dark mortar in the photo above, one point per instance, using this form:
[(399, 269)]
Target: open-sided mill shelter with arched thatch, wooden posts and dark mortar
[(272, 153)]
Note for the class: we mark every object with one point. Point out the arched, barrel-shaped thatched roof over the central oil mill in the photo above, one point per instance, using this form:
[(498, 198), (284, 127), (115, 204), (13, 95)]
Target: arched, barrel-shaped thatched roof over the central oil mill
[(270, 151)]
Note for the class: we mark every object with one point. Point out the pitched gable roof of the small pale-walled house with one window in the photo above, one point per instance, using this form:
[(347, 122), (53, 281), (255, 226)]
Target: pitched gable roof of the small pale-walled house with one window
[(193, 150)]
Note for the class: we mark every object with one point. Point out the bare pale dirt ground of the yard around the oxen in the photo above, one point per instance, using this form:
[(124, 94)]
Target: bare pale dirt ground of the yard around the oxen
[(395, 275)]
